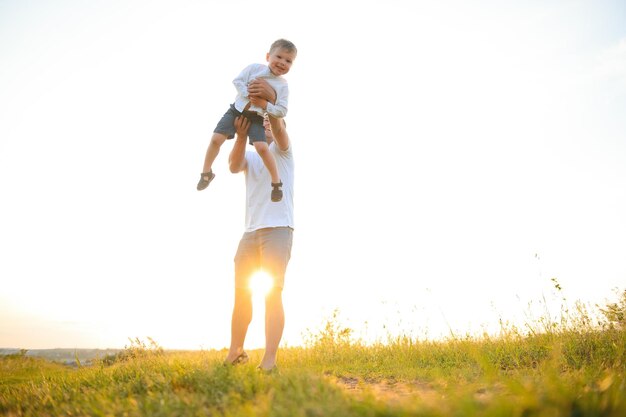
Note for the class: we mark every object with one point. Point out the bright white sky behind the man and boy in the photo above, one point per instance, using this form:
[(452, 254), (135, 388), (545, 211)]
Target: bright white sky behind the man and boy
[(451, 158)]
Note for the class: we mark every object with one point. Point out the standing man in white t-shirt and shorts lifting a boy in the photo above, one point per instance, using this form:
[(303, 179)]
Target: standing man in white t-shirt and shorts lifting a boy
[(266, 242)]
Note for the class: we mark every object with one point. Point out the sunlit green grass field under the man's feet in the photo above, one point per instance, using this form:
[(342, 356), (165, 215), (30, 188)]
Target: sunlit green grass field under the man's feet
[(564, 368)]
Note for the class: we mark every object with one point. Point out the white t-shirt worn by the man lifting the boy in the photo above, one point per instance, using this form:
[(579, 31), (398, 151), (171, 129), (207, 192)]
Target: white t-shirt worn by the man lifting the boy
[(261, 211)]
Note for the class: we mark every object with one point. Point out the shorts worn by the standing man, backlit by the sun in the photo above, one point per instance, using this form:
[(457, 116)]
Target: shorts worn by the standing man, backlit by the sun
[(268, 249)]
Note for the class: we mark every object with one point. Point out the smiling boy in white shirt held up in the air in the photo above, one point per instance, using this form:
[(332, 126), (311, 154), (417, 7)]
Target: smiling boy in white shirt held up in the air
[(280, 58)]
